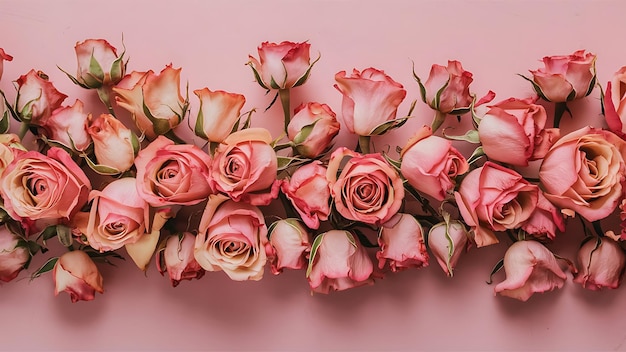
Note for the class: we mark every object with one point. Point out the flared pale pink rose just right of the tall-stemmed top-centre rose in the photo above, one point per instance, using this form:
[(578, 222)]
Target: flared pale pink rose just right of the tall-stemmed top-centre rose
[(370, 98)]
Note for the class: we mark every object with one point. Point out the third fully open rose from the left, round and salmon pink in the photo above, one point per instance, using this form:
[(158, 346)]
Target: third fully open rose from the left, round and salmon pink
[(169, 174)]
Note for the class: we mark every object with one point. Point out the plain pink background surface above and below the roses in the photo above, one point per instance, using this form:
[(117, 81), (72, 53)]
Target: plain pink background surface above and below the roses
[(412, 310)]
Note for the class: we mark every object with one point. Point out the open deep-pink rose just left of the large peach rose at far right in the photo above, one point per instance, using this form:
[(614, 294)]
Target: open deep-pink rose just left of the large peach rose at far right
[(495, 198)]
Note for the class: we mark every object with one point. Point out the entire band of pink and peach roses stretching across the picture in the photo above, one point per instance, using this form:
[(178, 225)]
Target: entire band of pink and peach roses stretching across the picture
[(126, 179)]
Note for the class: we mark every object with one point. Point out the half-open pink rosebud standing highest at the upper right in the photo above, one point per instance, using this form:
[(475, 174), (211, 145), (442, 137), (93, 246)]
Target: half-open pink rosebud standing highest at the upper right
[(565, 78)]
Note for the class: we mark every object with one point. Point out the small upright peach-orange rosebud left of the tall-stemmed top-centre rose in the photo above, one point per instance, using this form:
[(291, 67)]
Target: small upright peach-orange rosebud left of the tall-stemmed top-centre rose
[(218, 114)]
